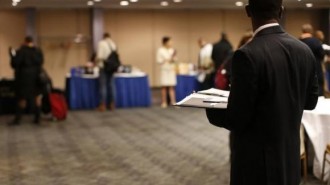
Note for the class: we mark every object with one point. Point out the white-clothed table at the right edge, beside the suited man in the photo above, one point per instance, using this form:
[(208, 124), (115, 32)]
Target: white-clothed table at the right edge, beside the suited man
[(317, 126)]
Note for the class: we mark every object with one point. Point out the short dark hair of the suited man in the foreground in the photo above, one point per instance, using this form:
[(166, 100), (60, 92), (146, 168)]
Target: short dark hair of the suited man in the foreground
[(266, 9)]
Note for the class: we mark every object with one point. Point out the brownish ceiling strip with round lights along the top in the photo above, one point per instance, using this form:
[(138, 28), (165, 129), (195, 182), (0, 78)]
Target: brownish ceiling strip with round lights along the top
[(152, 4)]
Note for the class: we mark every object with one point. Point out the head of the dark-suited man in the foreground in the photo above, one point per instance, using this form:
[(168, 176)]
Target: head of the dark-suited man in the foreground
[(265, 10)]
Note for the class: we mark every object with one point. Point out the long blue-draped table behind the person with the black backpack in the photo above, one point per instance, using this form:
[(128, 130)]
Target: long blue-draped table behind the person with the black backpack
[(131, 90)]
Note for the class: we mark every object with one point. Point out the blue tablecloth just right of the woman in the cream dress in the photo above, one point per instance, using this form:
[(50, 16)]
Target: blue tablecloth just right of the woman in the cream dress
[(186, 84)]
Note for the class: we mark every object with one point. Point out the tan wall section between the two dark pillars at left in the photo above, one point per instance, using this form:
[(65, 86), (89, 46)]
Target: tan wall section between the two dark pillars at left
[(57, 30)]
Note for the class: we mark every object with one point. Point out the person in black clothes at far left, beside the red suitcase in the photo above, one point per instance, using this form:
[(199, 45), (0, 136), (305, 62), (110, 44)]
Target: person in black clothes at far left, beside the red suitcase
[(27, 64)]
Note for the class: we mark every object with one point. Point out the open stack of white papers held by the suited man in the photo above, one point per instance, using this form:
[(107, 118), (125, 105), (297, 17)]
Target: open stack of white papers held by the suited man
[(211, 98)]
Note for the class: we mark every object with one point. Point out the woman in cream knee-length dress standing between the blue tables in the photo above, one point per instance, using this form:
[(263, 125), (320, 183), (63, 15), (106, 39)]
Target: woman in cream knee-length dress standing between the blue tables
[(166, 57)]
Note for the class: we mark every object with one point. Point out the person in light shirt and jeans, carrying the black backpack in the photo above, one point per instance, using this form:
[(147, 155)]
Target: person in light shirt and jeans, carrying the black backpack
[(105, 47)]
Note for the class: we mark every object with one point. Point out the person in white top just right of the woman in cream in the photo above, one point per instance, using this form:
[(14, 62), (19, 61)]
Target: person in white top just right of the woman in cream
[(205, 64)]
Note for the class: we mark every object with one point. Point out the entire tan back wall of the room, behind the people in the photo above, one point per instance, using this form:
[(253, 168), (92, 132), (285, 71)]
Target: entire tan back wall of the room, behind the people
[(137, 33)]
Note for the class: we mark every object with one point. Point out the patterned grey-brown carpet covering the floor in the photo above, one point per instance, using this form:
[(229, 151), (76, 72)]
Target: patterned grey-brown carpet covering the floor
[(126, 147)]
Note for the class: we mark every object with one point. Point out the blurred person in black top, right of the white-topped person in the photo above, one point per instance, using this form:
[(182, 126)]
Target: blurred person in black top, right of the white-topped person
[(220, 51)]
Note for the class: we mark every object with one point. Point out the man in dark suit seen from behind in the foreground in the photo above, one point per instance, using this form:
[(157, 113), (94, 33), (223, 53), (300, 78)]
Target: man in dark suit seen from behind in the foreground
[(273, 81)]
